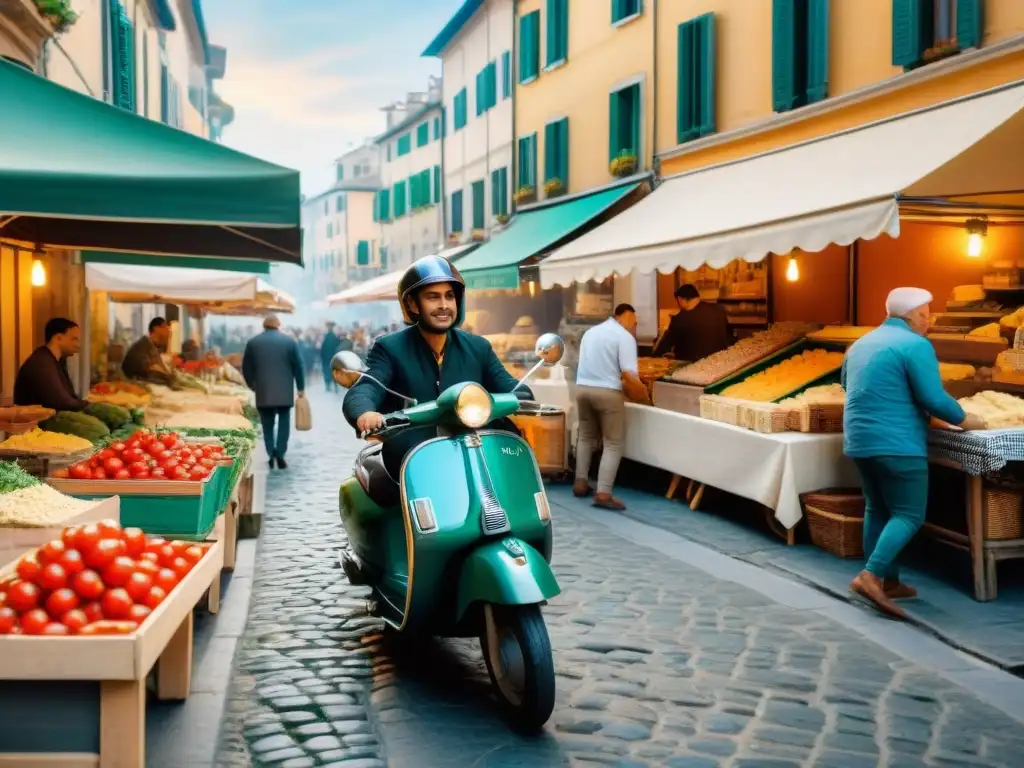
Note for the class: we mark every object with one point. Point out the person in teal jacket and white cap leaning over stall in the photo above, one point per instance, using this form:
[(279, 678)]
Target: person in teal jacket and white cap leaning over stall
[(892, 383)]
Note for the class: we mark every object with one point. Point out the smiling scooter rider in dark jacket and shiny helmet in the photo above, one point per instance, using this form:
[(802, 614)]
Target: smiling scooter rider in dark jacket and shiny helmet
[(425, 359)]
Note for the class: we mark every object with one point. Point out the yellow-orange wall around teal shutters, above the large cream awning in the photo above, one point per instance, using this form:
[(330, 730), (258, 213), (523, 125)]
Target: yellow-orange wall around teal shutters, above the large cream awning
[(861, 56)]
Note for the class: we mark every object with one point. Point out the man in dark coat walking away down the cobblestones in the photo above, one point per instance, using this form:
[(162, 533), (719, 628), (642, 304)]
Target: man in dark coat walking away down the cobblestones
[(274, 369)]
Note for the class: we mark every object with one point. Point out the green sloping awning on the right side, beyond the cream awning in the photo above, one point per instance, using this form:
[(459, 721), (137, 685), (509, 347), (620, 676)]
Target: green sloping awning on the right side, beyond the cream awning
[(496, 265)]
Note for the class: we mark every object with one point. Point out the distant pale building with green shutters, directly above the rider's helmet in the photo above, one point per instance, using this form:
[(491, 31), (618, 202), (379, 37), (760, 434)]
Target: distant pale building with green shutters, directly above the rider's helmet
[(409, 210)]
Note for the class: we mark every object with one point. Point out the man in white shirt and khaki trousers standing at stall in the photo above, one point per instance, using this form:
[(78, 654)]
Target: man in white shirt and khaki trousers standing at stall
[(608, 365)]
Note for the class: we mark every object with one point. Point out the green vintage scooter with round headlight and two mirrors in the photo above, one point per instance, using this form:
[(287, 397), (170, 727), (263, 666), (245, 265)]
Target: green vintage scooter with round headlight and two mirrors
[(461, 545)]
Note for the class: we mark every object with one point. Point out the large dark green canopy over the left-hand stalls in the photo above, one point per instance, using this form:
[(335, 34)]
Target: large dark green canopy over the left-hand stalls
[(78, 174)]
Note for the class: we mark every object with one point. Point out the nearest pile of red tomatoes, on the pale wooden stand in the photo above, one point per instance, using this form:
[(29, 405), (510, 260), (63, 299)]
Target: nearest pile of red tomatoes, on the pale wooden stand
[(95, 580)]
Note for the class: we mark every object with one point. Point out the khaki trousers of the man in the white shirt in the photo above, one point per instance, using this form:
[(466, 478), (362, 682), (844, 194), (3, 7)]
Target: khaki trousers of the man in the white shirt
[(602, 414)]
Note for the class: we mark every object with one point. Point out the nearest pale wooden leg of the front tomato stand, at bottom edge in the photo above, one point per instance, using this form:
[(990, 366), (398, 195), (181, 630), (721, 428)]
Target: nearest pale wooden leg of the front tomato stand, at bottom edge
[(122, 724)]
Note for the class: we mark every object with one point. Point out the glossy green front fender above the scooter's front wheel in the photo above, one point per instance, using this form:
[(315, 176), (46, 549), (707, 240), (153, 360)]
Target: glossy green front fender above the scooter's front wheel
[(505, 573)]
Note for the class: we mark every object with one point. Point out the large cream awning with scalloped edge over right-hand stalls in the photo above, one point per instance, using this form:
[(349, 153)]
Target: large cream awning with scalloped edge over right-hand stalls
[(835, 190)]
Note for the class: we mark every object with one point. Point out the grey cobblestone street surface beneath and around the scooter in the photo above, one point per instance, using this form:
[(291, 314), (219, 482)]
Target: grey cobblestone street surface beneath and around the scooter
[(659, 664)]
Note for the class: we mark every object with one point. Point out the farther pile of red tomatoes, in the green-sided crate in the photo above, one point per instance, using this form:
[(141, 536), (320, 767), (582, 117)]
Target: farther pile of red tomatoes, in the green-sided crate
[(148, 456)]
